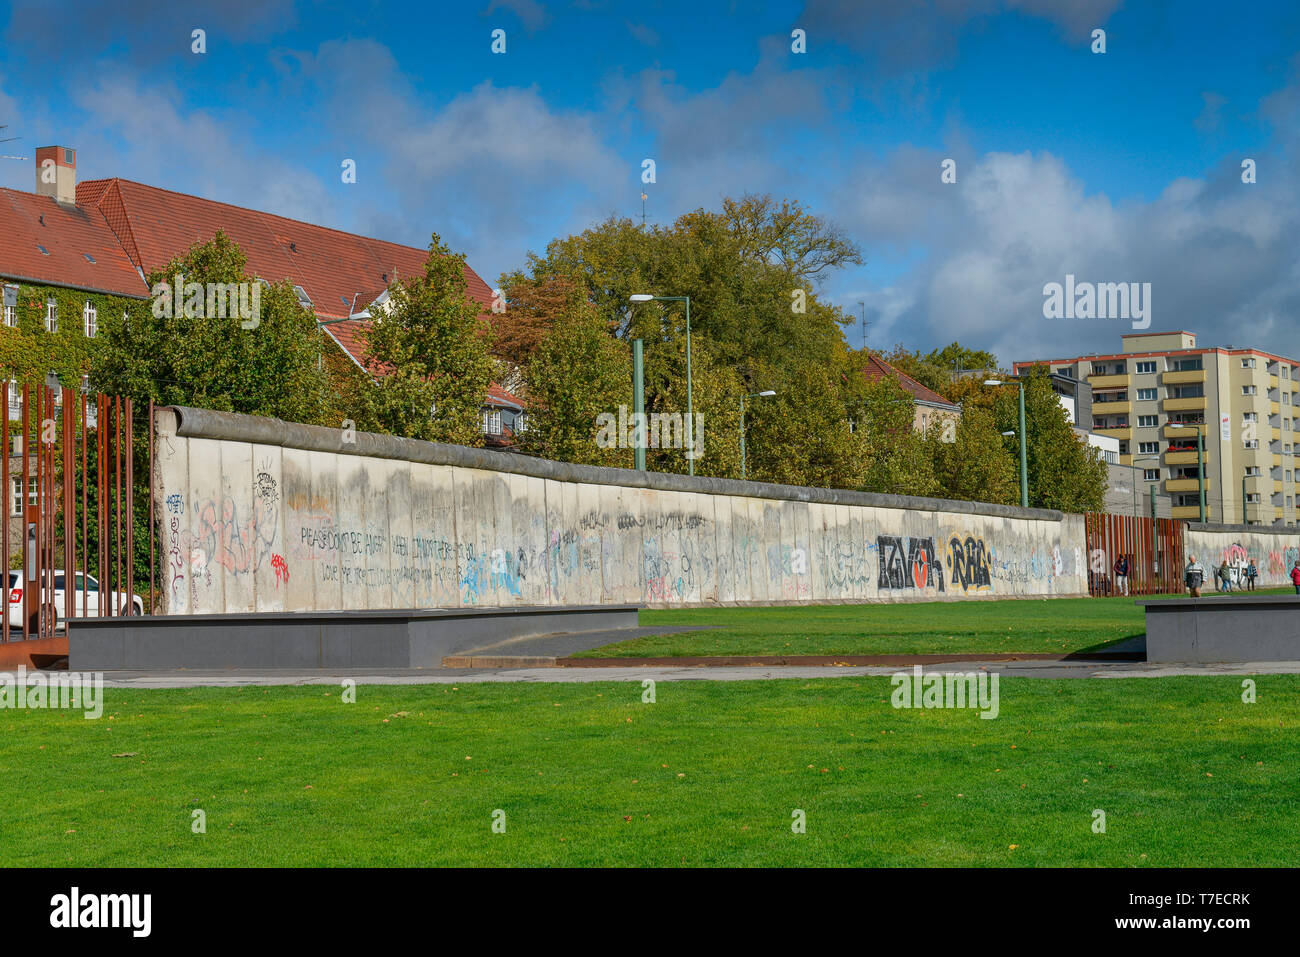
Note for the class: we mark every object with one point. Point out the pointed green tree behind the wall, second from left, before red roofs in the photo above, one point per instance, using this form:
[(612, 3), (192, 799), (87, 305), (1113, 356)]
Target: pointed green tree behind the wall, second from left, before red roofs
[(428, 353)]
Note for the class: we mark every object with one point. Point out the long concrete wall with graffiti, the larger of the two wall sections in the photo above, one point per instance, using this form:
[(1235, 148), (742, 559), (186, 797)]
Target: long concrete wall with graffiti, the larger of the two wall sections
[(263, 516)]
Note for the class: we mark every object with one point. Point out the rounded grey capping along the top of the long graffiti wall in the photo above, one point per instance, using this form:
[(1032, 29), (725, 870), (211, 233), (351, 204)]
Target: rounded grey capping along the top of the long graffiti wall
[(232, 427)]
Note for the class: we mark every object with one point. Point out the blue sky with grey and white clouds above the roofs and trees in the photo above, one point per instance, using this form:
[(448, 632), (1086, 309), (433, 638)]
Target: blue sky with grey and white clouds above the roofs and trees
[(1115, 167)]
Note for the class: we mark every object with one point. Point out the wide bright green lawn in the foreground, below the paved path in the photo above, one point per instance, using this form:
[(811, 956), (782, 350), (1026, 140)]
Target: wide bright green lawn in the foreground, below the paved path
[(587, 774)]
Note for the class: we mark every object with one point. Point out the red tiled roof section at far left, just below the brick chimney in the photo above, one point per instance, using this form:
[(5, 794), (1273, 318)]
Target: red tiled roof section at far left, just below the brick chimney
[(68, 235)]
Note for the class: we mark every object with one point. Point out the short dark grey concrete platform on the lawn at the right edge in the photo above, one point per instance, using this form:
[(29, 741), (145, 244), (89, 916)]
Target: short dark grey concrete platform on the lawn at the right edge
[(1259, 629)]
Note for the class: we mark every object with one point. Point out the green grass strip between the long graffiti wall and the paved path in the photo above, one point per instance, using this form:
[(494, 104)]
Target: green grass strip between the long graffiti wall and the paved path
[(1056, 626)]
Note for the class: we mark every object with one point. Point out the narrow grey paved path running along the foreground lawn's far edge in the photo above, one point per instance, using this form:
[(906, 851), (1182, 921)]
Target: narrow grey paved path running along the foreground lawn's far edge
[(233, 679)]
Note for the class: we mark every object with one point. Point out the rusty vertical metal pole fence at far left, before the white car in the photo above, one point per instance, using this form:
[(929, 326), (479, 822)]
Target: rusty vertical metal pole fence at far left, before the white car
[(68, 471)]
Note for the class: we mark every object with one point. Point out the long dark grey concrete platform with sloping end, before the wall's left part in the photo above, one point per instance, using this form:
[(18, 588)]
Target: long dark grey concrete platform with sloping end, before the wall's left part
[(383, 639)]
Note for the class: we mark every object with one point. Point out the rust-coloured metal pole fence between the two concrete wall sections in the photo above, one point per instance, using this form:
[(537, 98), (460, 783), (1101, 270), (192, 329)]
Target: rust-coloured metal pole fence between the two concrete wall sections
[(1154, 551)]
